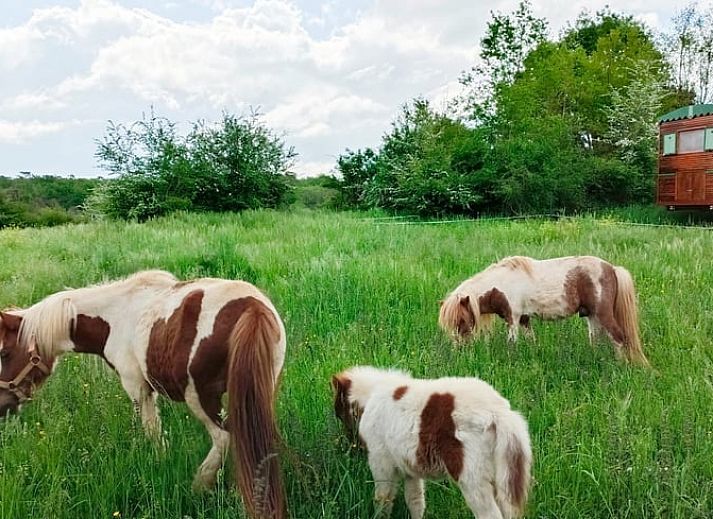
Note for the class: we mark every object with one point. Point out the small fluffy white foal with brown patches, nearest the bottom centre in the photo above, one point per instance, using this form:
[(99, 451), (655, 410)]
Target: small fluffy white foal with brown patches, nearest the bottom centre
[(425, 429)]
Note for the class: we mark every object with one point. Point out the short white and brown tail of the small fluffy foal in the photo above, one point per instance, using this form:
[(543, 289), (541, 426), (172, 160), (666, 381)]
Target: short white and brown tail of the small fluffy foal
[(513, 460)]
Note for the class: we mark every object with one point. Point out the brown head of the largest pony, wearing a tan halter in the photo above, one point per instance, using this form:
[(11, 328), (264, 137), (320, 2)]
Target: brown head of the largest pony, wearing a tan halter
[(21, 368)]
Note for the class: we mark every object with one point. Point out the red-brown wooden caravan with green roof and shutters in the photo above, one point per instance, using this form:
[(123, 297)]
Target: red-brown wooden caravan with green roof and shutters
[(685, 178)]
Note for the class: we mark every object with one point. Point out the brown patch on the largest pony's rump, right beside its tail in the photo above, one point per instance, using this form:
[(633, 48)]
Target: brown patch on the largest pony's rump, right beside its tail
[(209, 364)]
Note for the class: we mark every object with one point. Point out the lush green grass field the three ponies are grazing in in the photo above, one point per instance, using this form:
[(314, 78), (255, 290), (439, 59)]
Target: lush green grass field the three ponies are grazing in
[(609, 440)]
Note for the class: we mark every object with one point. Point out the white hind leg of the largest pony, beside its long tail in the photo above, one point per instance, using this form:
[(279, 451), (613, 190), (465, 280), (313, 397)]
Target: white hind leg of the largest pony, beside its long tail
[(207, 473)]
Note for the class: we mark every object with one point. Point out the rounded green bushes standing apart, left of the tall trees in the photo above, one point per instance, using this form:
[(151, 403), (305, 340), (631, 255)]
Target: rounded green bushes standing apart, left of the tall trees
[(234, 165)]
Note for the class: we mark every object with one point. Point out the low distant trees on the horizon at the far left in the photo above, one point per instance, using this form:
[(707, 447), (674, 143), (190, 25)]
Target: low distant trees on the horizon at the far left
[(43, 200)]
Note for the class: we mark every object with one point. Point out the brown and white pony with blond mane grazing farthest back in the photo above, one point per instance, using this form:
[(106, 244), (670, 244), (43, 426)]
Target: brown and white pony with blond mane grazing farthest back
[(517, 288)]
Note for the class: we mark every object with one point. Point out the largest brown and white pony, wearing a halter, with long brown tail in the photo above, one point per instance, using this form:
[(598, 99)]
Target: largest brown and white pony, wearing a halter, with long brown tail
[(191, 341)]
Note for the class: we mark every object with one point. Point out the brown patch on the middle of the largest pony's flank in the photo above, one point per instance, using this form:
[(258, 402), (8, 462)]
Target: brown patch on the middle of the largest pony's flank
[(170, 344)]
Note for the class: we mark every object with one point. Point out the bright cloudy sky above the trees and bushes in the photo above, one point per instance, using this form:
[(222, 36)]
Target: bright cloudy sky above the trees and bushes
[(327, 75)]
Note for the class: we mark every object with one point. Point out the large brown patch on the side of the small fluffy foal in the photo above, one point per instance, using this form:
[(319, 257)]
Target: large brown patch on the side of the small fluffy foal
[(438, 447)]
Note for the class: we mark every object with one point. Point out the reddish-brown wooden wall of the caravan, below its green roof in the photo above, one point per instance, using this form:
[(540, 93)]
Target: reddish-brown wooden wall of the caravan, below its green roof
[(685, 179)]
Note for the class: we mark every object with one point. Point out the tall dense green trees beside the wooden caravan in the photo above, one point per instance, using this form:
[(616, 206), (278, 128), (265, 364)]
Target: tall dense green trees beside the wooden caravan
[(544, 125)]
